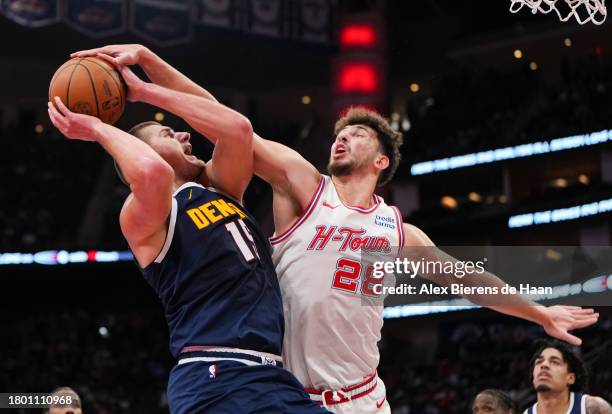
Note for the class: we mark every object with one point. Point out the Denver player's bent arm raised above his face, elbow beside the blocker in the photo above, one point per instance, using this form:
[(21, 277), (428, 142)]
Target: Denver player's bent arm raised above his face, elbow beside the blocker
[(231, 166)]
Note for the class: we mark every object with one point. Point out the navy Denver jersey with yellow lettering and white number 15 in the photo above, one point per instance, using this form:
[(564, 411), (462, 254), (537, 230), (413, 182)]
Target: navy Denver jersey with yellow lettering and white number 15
[(215, 276)]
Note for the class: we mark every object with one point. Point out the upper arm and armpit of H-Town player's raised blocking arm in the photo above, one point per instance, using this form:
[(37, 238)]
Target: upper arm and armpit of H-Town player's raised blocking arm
[(285, 170)]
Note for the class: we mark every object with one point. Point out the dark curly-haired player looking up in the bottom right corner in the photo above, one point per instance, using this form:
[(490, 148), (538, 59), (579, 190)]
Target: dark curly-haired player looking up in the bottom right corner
[(559, 378)]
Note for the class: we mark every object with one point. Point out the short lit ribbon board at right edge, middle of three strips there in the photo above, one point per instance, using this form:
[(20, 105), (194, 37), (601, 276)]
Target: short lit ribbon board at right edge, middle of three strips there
[(561, 214)]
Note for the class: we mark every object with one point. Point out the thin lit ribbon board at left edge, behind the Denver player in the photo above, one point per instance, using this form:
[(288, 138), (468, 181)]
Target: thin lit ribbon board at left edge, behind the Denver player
[(62, 257)]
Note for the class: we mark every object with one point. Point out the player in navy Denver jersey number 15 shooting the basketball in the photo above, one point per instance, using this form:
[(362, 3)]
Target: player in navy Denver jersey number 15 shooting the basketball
[(201, 252)]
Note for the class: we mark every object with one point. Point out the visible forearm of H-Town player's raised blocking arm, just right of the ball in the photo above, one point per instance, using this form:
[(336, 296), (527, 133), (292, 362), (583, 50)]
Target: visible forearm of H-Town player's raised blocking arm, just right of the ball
[(163, 74)]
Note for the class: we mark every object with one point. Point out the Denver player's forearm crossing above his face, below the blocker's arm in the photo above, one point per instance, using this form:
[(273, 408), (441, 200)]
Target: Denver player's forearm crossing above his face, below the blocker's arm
[(211, 119)]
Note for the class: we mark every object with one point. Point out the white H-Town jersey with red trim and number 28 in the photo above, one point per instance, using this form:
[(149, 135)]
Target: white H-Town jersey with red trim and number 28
[(330, 335)]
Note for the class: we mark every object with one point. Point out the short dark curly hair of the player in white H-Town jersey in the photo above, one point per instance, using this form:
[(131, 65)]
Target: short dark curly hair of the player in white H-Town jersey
[(390, 140)]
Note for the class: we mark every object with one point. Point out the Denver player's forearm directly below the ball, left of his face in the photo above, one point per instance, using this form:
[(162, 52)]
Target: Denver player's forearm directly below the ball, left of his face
[(139, 163)]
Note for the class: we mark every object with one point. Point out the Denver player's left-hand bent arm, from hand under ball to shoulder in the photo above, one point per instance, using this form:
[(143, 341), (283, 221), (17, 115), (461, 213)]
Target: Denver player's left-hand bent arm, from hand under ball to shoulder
[(144, 214)]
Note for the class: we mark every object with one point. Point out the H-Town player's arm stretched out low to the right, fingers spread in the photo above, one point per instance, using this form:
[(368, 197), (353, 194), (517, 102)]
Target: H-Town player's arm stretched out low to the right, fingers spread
[(556, 320)]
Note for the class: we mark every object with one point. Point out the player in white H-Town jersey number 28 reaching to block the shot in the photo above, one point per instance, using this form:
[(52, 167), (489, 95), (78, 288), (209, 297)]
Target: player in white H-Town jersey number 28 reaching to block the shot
[(322, 222)]
